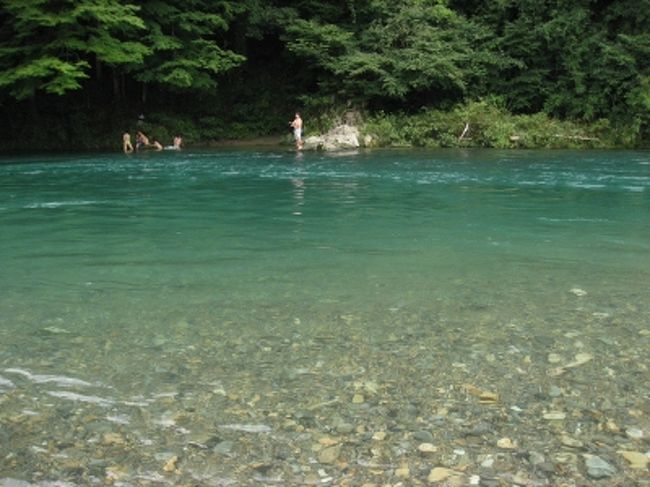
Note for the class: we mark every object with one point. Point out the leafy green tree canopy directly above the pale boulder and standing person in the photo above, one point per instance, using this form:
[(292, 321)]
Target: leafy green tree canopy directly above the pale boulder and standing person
[(405, 50)]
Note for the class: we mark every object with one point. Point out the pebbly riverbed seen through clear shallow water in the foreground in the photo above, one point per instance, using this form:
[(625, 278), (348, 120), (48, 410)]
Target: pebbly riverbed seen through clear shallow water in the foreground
[(313, 407)]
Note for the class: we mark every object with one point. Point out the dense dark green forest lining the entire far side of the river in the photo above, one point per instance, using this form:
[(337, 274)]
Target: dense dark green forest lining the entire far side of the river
[(75, 74)]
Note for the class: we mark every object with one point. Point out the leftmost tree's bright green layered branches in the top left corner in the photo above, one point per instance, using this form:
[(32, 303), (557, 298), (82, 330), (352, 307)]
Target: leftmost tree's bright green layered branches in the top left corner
[(49, 46)]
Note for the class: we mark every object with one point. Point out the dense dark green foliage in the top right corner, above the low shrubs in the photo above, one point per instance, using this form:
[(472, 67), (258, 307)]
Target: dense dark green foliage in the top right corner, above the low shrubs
[(572, 61)]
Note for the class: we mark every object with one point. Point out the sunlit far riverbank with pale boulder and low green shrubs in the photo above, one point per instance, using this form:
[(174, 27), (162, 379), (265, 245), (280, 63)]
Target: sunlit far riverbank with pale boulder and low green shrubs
[(473, 125)]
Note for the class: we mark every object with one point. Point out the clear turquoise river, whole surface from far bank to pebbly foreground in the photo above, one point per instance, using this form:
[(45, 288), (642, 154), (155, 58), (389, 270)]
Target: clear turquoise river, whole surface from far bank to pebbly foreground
[(384, 318)]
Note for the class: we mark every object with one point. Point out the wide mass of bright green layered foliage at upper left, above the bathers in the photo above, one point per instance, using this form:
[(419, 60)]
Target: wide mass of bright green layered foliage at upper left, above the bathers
[(51, 46)]
